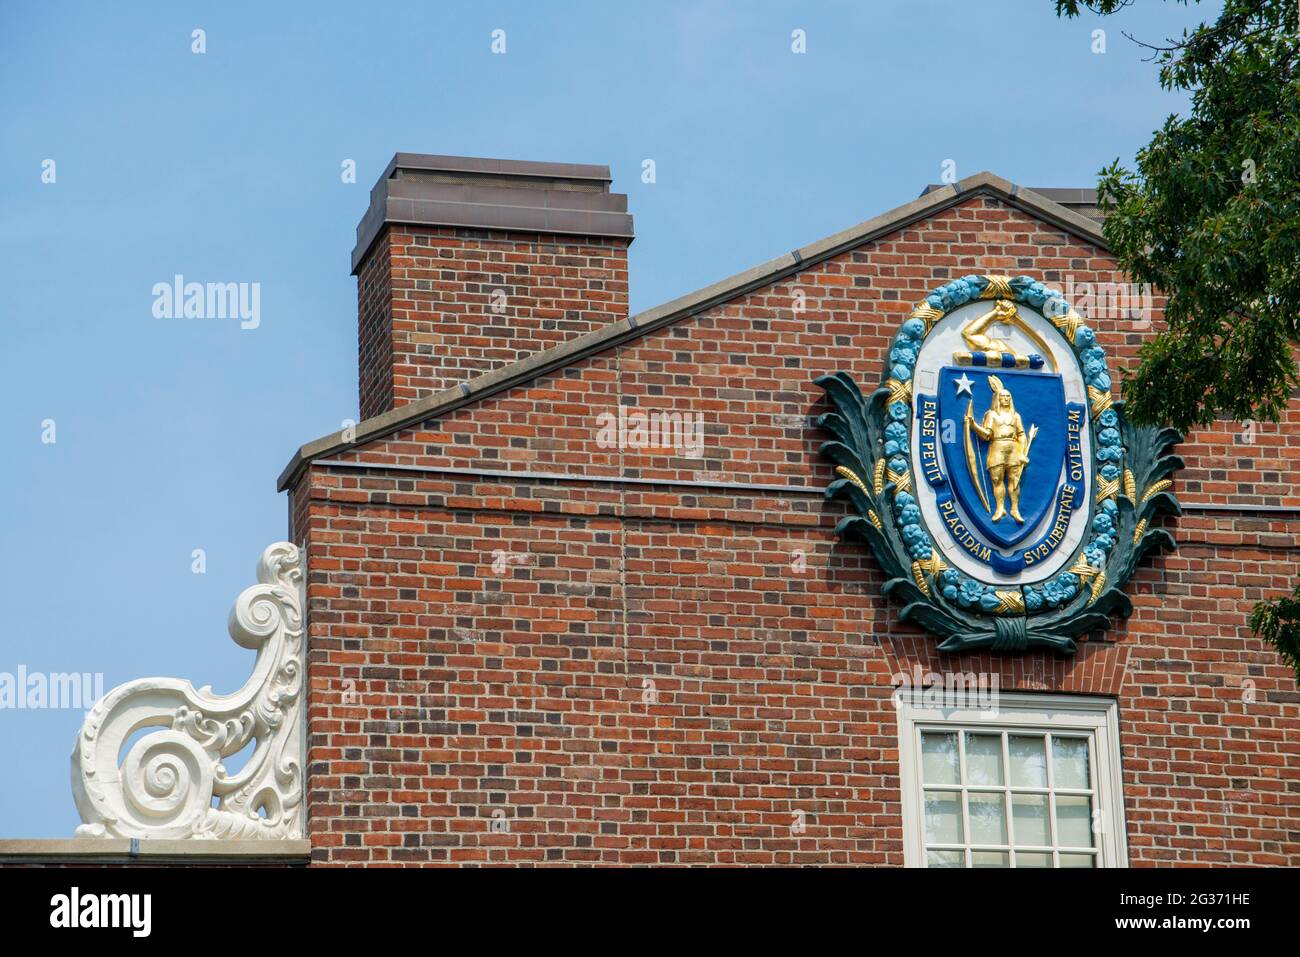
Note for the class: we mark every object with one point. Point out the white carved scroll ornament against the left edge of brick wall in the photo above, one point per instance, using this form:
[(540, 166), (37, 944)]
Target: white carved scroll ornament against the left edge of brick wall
[(172, 783)]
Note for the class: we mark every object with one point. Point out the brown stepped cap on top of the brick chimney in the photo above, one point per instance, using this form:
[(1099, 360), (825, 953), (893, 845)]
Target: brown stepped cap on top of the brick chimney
[(505, 196)]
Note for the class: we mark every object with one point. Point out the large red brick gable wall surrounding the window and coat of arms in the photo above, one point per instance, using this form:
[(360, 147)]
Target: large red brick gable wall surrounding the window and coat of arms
[(657, 674)]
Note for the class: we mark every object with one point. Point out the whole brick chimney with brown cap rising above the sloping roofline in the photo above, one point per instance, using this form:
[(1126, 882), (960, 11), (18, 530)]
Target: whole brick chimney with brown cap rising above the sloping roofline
[(469, 265)]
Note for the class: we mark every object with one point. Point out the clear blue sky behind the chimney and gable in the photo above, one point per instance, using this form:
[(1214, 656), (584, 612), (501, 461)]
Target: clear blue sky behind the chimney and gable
[(226, 167)]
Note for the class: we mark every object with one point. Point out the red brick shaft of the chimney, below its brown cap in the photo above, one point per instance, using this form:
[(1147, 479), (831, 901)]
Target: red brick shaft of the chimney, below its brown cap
[(431, 317)]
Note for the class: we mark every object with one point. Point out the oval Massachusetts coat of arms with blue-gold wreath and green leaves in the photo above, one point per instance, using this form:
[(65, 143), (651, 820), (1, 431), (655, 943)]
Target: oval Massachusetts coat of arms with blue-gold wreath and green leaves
[(994, 474)]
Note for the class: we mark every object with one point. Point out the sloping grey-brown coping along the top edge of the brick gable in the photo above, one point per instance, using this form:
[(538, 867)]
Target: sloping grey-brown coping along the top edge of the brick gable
[(935, 200)]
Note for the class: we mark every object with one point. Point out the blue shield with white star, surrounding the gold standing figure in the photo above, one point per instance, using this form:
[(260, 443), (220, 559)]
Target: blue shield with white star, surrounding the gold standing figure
[(1039, 399)]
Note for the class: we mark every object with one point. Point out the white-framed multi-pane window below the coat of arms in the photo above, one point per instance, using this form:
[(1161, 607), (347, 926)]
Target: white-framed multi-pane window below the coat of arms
[(1032, 782)]
